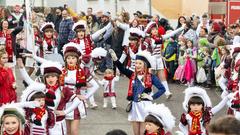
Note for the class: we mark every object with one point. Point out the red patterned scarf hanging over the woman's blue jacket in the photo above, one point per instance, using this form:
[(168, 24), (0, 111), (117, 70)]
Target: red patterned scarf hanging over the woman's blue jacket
[(147, 81)]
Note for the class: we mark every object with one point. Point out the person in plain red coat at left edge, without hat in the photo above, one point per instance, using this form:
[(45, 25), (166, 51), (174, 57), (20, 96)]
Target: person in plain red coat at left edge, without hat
[(7, 80)]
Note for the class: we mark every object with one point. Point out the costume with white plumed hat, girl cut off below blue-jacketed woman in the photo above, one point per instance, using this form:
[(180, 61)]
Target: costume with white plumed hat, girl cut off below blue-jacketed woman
[(163, 116)]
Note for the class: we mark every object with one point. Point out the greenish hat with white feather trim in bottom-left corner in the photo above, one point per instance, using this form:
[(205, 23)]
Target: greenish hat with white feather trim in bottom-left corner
[(12, 109)]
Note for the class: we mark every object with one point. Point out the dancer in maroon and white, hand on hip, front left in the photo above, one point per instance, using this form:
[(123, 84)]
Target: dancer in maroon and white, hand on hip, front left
[(57, 96)]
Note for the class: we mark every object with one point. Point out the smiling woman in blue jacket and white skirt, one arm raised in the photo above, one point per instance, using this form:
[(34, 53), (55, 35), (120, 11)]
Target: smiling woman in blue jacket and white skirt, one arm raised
[(140, 88)]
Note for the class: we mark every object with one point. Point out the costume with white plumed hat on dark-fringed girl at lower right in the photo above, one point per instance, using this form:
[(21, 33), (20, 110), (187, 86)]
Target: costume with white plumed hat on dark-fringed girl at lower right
[(194, 123)]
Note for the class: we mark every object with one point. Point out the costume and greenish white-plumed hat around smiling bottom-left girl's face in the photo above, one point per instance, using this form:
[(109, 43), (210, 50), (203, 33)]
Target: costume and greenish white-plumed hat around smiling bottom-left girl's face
[(12, 110)]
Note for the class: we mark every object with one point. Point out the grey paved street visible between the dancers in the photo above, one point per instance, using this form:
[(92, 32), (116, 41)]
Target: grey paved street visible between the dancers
[(101, 120)]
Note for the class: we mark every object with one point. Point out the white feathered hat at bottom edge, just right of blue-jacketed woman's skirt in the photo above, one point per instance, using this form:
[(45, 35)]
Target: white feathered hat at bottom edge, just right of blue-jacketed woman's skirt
[(163, 114)]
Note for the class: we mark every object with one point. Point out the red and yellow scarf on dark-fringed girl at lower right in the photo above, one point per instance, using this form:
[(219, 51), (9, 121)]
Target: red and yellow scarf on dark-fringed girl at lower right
[(196, 126)]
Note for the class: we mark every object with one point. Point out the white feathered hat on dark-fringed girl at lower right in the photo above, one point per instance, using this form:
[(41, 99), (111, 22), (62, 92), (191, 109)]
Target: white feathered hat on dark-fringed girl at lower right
[(196, 91)]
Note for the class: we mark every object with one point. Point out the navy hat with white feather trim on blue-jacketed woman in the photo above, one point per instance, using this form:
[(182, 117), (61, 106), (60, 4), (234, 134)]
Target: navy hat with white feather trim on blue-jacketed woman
[(146, 57)]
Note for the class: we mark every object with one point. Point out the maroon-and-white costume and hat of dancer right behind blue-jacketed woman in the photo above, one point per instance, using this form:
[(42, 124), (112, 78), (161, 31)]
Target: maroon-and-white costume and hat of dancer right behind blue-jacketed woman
[(131, 50)]
